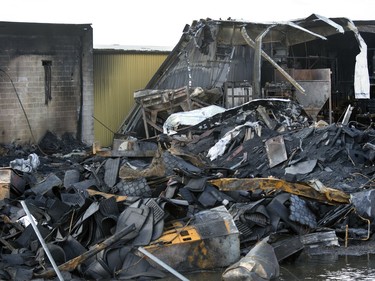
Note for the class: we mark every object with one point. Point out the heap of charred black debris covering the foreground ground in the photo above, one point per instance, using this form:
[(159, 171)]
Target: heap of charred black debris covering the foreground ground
[(199, 198)]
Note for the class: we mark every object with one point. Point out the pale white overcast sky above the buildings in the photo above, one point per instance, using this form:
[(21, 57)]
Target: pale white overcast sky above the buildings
[(160, 22)]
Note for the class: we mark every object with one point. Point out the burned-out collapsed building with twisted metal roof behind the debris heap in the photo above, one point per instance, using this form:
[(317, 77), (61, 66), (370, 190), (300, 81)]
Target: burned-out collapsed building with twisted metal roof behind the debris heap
[(324, 64)]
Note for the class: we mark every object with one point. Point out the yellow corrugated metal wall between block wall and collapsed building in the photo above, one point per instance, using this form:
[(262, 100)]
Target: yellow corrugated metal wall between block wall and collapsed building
[(117, 75)]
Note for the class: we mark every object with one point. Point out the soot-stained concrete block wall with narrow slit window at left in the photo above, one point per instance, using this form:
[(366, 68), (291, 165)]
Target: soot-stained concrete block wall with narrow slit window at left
[(46, 81)]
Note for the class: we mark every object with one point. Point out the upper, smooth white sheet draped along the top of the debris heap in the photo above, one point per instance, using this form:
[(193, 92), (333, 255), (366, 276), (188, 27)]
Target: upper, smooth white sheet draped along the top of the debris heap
[(191, 118)]
